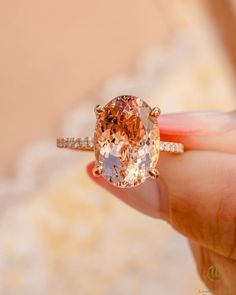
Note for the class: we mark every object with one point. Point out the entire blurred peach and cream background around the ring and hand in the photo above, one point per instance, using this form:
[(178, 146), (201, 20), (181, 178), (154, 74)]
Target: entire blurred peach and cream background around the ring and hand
[(59, 233)]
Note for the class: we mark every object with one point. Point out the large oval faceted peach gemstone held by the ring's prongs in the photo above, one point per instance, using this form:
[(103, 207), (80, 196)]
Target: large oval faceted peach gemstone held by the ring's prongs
[(127, 141)]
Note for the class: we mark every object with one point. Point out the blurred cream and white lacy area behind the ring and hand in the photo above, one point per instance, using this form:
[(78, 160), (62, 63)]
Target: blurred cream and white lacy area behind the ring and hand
[(61, 234)]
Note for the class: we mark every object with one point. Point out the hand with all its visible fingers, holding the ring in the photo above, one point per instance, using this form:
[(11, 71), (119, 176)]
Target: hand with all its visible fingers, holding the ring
[(196, 191)]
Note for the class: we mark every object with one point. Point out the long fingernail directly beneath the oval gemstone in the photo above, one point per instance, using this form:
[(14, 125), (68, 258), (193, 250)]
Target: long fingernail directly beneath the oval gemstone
[(149, 197)]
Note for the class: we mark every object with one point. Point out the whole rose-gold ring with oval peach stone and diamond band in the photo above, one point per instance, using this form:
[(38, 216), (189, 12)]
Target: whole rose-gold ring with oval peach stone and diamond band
[(126, 142)]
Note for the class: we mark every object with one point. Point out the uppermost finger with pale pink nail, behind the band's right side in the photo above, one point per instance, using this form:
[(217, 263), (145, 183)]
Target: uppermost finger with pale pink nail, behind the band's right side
[(215, 131)]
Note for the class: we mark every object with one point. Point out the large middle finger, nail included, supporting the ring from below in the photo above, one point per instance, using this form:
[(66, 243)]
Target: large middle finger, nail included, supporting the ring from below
[(195, 193)]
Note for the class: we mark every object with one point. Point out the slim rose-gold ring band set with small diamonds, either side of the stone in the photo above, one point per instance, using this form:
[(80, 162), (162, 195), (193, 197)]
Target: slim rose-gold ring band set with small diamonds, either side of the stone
[(86, 144)]
